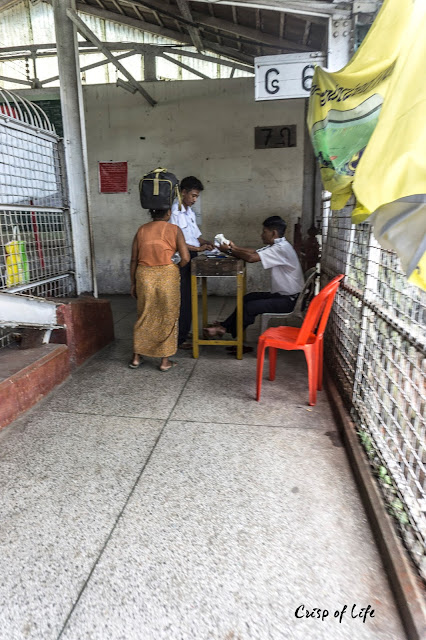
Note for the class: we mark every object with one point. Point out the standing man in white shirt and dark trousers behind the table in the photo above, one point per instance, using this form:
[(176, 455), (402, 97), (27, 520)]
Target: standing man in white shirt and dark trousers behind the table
[(190, 189)]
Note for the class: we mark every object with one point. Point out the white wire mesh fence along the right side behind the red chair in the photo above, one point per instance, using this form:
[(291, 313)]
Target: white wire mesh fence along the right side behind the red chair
[(377, 355)]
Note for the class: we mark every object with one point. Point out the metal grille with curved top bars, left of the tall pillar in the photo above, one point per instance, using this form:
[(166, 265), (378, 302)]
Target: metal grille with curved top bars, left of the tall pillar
[(35, 239)]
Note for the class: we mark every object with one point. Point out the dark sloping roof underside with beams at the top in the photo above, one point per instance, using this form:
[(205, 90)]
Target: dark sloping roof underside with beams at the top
[(228, 28)]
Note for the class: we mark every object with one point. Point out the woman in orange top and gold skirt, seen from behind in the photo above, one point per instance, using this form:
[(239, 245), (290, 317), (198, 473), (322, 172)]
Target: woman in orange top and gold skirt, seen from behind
[(155, 282)]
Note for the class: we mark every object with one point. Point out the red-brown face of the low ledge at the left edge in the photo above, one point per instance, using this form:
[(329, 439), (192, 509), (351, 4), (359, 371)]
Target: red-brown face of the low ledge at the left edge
[(27, 387)]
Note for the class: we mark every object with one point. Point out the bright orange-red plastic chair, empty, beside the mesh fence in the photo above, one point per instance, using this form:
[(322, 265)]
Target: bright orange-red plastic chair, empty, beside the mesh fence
[(309, 338)]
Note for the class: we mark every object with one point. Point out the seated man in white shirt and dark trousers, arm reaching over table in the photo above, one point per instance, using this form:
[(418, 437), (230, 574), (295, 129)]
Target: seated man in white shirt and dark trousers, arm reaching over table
[(286, 277)]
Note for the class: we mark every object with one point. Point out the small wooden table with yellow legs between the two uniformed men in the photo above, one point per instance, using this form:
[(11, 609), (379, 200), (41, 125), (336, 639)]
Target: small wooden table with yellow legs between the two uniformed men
[(216, 267)]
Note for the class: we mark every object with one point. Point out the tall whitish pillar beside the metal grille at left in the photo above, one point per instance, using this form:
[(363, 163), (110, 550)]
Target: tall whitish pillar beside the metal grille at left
[(73, 121)]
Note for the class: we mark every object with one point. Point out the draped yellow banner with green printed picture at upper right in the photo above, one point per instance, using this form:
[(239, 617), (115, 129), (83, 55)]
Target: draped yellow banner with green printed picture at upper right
[(368, 133)]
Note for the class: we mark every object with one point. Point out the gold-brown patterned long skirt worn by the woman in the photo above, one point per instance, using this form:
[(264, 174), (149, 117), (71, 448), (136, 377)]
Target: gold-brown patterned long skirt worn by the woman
[(158, 305)]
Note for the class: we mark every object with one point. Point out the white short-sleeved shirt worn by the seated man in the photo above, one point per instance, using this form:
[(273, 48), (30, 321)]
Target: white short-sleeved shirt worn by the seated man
[(286, 273)]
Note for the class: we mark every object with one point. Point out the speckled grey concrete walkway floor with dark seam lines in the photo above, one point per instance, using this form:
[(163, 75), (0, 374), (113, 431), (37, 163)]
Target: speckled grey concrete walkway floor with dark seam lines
[(138, 505)]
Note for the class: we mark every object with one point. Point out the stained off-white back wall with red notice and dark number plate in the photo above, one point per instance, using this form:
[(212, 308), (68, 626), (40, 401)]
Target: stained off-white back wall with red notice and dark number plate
[(203, 128)]
